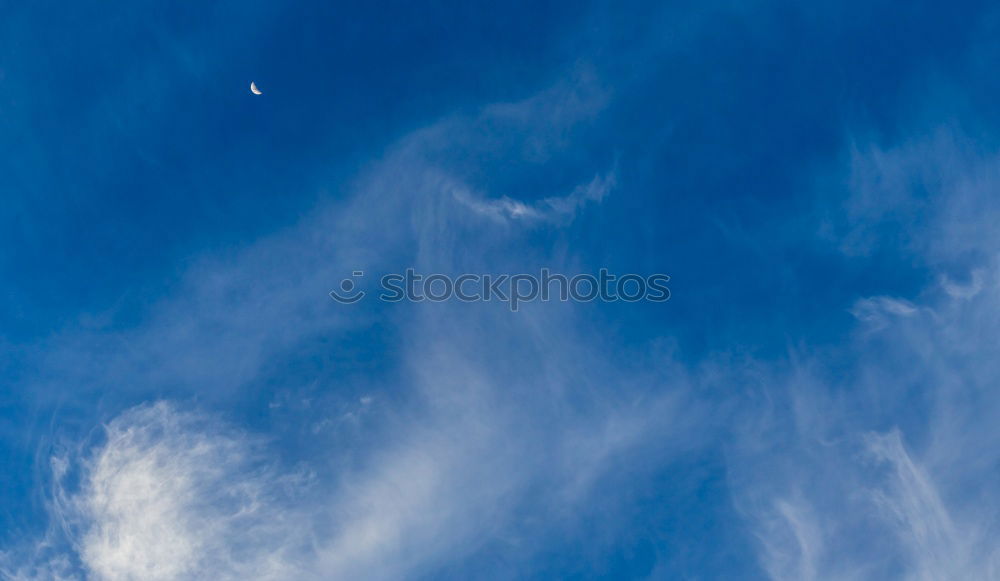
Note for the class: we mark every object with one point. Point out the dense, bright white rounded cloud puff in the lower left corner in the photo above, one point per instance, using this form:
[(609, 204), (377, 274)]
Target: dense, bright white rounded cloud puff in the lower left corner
[(172, 495)]
